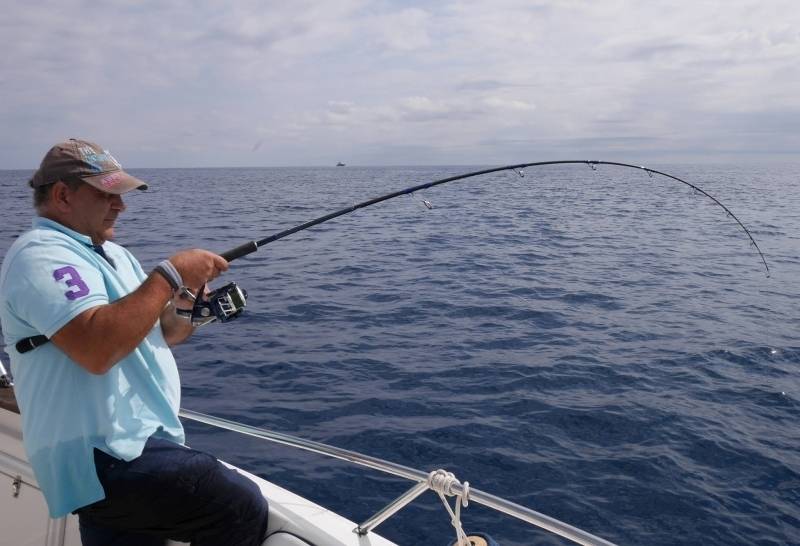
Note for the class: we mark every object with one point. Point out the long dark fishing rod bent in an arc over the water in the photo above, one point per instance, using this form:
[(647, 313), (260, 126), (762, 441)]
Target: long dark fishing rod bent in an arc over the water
[(252, 246)]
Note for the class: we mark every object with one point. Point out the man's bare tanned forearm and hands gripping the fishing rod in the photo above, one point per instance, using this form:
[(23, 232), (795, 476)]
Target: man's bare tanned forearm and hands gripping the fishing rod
[(100, 337)]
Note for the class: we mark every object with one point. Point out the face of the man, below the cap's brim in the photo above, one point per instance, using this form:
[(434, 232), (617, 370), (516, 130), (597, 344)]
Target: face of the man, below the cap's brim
[(94, 212)]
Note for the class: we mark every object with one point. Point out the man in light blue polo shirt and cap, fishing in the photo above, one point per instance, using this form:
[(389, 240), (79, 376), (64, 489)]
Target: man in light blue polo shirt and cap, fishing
[(88, 332)]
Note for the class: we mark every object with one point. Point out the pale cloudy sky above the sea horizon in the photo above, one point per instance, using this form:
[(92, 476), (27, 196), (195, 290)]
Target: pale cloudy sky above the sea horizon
[(201, 83)]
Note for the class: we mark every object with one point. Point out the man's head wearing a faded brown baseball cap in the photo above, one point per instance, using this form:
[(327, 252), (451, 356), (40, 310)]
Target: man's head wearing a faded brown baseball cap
[(80, 185)]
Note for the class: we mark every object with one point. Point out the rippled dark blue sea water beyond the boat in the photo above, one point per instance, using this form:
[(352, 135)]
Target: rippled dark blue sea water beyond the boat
[(602, 347)]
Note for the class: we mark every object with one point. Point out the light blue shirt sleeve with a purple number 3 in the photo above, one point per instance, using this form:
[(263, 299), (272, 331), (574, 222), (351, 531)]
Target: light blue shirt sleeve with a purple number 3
[(53, 283)]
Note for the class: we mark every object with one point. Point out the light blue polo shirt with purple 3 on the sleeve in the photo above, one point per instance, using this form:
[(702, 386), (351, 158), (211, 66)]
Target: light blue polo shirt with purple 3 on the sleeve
[(49, 276)]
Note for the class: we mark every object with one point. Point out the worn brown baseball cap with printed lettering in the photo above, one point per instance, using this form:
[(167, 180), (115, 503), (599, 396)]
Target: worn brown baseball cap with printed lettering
[(87, 161)]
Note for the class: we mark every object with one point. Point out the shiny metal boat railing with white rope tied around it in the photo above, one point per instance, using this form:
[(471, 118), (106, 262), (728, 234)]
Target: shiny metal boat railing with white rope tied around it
[(421, 478)]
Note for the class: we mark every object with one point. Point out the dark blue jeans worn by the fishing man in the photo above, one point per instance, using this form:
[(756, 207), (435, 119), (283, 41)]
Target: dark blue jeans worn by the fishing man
[(171, 492)]
